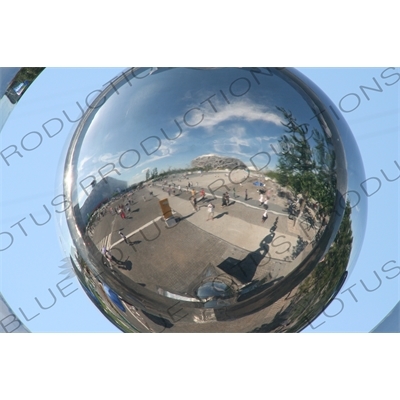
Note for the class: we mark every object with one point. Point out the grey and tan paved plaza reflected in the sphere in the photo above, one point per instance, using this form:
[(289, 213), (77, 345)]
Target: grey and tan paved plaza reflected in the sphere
[(174, 259)]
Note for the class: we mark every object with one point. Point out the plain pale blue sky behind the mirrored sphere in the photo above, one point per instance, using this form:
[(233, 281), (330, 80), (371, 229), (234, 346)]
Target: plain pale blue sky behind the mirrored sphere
[(30, 267)]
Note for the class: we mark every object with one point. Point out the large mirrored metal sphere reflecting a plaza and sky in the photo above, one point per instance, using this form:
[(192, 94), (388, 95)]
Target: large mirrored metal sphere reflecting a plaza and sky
[(212, 200)]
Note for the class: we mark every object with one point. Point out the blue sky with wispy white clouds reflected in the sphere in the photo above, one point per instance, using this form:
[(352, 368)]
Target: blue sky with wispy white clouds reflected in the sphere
[(229, 112)]
